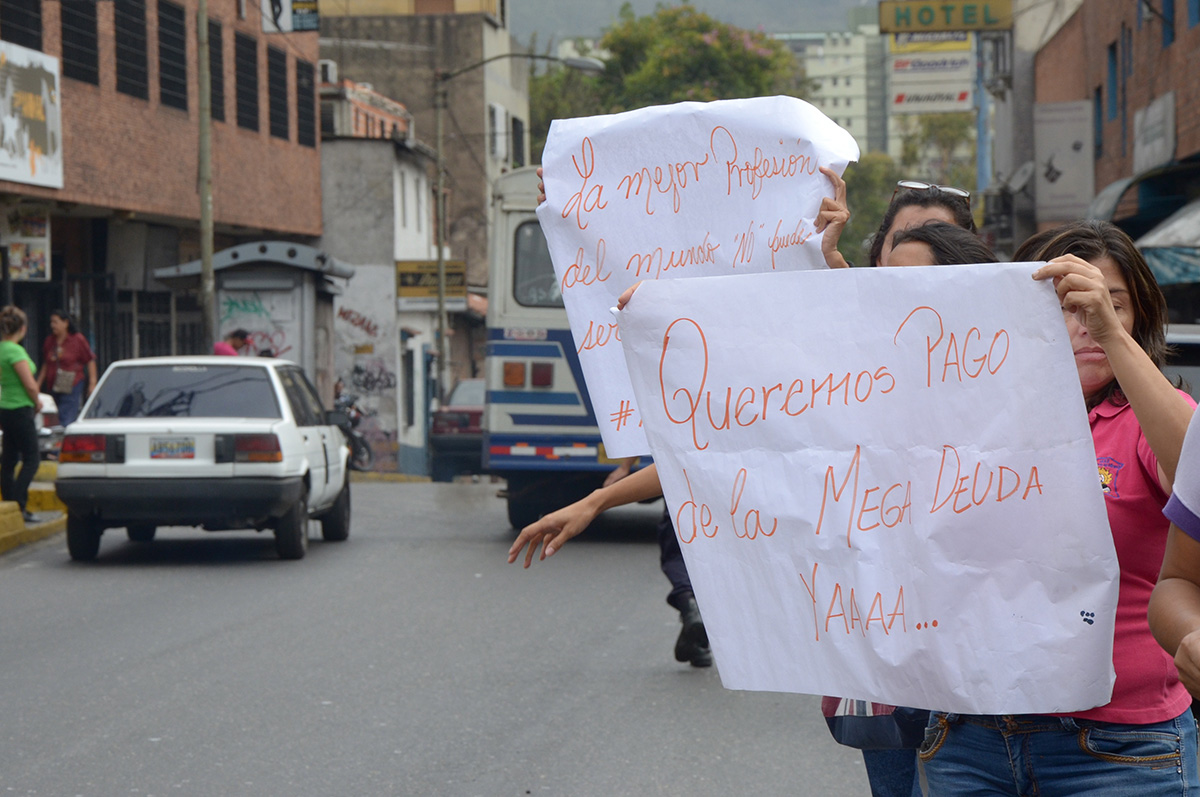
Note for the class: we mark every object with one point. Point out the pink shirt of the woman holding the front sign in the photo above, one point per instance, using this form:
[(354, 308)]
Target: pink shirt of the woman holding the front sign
[(1148, 687)]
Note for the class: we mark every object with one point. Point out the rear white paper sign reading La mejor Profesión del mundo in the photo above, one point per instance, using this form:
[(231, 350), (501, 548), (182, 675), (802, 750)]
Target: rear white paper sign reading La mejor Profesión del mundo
[(677, 191)]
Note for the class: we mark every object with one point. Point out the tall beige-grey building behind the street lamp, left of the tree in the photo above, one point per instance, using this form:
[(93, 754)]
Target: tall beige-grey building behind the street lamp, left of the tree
[(401, 49)]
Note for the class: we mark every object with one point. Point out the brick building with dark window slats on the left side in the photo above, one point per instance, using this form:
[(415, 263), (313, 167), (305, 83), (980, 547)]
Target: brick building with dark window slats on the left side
[(124, 123)]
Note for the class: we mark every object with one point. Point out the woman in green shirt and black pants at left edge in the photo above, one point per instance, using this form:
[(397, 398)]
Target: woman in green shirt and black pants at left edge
[(19, 405)]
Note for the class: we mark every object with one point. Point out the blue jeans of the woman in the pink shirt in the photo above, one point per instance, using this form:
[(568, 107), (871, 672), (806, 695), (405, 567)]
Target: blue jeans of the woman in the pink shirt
[(1031, 754)]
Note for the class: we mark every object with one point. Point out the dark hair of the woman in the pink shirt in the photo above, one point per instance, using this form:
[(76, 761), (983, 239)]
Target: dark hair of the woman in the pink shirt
[(1093, 241)]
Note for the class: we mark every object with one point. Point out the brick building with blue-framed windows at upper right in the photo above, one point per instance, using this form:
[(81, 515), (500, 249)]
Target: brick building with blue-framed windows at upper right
[(1130, 69)]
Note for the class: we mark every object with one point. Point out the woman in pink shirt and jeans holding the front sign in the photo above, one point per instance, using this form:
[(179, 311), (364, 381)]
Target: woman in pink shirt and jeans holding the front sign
[(1144, 741)]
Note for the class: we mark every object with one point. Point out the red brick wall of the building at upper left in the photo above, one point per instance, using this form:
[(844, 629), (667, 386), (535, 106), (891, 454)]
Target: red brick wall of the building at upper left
[(130, 154)]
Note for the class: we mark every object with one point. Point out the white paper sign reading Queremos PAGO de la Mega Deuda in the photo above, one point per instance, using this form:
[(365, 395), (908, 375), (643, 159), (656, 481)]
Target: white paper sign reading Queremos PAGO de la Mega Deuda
[(885, 484)]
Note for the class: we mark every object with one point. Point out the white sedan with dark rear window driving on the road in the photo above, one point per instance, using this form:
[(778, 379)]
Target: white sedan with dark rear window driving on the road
[(218, 442)]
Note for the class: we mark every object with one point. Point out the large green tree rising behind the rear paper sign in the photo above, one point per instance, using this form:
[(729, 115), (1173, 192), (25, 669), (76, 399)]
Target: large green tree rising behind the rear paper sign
[(675, 55)]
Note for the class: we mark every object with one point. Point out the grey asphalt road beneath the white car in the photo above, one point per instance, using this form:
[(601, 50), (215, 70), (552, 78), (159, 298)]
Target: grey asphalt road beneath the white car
[(409, 661)]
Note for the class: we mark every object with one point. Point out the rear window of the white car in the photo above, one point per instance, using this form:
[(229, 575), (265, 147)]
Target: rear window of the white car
[(187, 392)]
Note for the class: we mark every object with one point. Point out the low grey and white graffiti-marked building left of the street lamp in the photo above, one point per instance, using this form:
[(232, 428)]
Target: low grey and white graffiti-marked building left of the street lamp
[(379, 218)]
